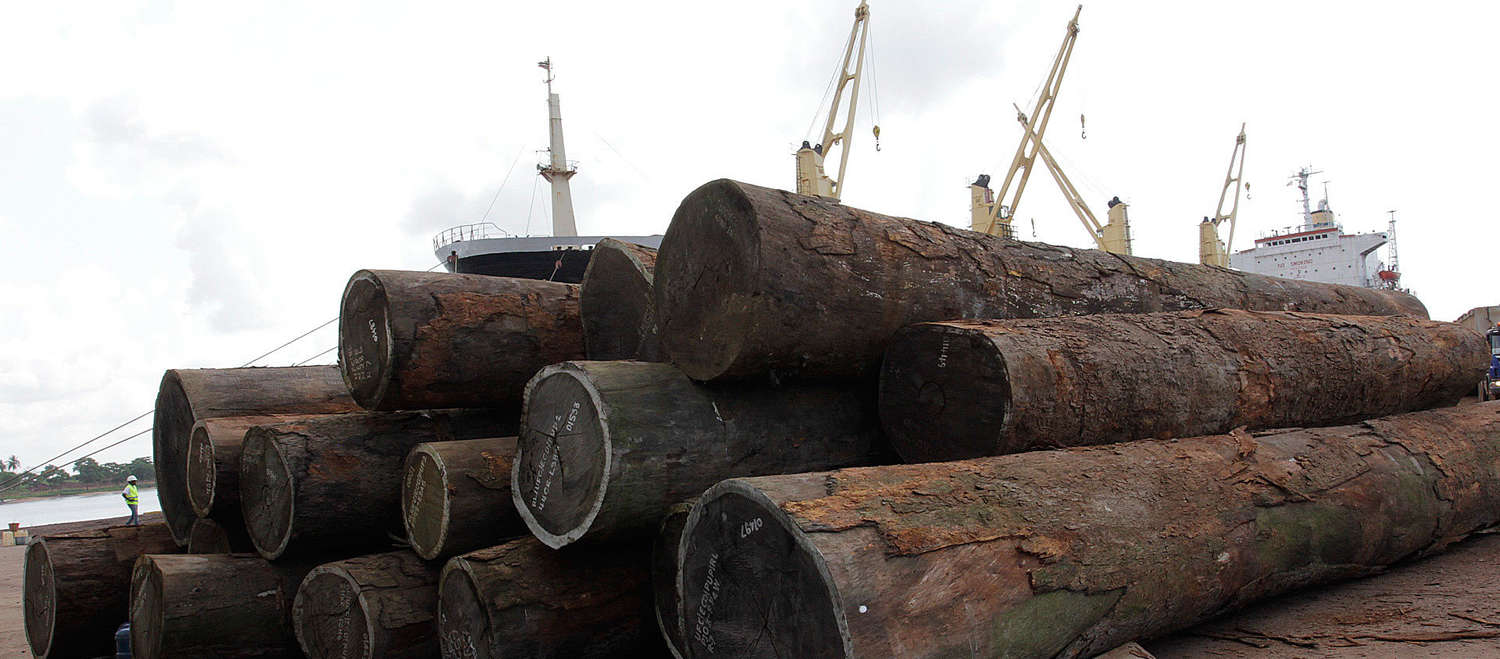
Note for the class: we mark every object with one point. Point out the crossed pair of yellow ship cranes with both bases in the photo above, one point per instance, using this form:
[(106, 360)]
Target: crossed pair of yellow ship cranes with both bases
[(994, 214)]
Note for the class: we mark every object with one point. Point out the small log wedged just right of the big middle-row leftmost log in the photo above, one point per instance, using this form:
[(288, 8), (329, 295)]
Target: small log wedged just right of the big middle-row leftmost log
[(214, 466)]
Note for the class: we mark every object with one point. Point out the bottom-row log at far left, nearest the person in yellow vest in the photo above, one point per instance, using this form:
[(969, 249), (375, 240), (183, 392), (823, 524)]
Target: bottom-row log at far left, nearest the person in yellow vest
[(76, 588)]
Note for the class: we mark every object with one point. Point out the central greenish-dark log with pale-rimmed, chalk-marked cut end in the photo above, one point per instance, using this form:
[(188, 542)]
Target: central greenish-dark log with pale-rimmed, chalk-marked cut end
[(610, 447)]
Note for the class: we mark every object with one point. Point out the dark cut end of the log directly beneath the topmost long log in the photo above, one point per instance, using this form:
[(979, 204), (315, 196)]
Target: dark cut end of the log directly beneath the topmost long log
[(946, 396)]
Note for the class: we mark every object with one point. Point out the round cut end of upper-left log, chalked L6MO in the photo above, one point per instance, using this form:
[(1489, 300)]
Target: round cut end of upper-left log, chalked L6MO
[(365, 340)]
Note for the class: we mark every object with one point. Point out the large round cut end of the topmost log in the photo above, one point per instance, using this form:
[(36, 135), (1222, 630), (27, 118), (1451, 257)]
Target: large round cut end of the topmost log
[(706, 314)]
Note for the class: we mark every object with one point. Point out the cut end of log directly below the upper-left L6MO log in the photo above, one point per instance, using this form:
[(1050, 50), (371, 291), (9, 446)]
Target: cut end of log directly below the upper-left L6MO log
[(268, 499)]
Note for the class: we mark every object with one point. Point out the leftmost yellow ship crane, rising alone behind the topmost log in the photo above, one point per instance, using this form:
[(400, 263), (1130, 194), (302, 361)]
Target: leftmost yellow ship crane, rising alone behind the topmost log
[(812, 179)]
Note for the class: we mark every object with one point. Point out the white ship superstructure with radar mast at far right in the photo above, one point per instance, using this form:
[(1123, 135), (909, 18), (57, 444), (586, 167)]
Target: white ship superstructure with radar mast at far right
[(1319, 250)]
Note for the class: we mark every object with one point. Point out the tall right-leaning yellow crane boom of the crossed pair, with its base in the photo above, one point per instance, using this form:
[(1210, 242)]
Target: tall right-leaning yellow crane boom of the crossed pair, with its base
[(994, 214)]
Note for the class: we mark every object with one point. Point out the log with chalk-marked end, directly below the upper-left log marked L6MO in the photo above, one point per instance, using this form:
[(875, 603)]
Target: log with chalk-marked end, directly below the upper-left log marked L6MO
[(328, 484)]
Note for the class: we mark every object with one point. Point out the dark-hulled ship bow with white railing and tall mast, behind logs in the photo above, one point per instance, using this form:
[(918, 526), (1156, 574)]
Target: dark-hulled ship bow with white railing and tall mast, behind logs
[(484, 248)]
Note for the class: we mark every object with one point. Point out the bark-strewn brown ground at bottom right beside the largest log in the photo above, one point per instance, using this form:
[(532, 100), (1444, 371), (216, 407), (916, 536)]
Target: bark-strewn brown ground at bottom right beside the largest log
[(1442, 607)]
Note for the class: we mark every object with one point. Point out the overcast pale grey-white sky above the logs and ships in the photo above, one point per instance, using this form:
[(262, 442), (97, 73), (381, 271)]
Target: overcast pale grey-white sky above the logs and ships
[(188, 185)]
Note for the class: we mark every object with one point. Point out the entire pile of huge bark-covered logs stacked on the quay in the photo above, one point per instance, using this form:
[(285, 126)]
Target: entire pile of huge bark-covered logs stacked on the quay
[(703, 459)]
